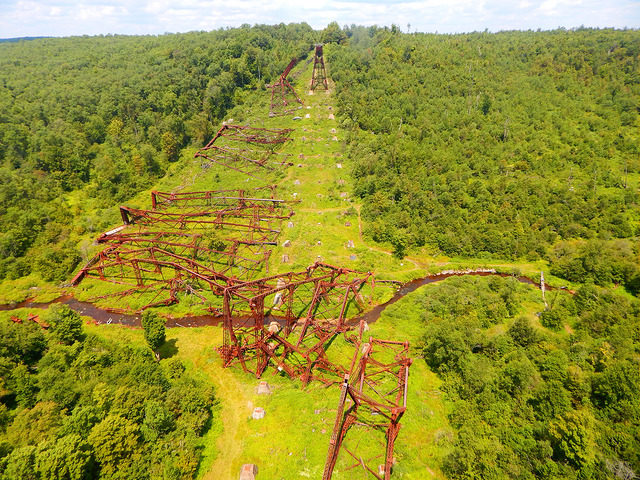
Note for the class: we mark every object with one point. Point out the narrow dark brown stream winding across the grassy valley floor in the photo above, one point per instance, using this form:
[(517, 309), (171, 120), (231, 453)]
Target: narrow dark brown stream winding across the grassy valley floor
[(106, 316)]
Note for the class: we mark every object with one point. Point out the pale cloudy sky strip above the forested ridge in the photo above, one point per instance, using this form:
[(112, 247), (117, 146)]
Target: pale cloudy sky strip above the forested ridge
[(20, 18)]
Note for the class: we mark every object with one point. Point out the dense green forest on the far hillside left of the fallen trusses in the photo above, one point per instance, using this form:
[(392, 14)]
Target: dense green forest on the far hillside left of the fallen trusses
[(104, 116)]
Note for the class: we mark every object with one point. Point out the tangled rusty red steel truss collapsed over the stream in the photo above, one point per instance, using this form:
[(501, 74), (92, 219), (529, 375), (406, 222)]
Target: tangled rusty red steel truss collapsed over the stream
[(289, 320)]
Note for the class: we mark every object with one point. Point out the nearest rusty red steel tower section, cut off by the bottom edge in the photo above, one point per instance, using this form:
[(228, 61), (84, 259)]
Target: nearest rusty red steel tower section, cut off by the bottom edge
[(373, 399)]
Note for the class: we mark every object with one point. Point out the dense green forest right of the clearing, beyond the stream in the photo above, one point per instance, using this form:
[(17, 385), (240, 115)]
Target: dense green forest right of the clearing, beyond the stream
[(494, 145)]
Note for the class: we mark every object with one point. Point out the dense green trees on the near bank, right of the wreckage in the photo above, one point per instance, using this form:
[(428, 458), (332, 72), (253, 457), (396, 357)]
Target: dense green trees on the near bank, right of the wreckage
[(546, 395)]
